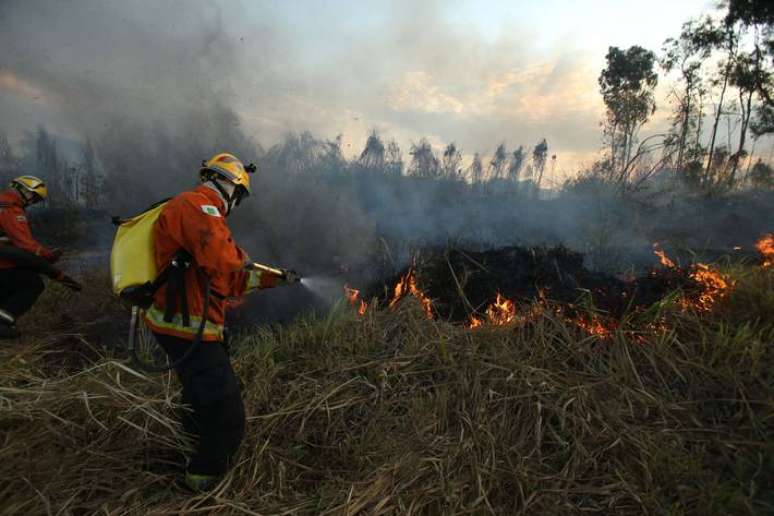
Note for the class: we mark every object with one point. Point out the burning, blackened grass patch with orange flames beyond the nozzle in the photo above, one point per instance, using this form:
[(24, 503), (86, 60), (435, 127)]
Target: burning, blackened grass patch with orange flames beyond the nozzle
[(462, 285)]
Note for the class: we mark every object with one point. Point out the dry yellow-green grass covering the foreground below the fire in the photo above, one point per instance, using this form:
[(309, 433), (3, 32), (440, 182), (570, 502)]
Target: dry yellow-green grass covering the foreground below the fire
[(392, 413)]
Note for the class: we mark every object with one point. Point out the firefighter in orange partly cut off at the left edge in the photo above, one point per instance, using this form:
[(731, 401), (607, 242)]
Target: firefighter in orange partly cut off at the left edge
[(20, 287)]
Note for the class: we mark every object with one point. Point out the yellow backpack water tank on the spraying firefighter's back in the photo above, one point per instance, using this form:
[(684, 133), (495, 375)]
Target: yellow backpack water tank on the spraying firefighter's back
[(132, 260)]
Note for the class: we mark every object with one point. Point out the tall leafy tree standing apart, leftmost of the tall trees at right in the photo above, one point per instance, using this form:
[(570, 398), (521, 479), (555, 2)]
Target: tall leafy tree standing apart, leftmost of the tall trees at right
[(627, 85)]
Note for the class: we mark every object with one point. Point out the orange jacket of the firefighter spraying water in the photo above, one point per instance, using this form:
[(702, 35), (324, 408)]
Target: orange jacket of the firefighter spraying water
[(195, 221)]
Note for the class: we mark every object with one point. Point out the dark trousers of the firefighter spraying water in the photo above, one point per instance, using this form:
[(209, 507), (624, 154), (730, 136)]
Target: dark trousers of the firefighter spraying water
[(211, 389)]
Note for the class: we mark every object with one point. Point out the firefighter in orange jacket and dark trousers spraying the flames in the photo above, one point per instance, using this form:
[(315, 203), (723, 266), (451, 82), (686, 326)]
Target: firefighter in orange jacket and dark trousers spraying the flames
[(194, 221)]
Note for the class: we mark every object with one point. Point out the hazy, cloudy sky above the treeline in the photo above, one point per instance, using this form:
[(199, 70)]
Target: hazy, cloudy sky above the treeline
[(476, 73)]
